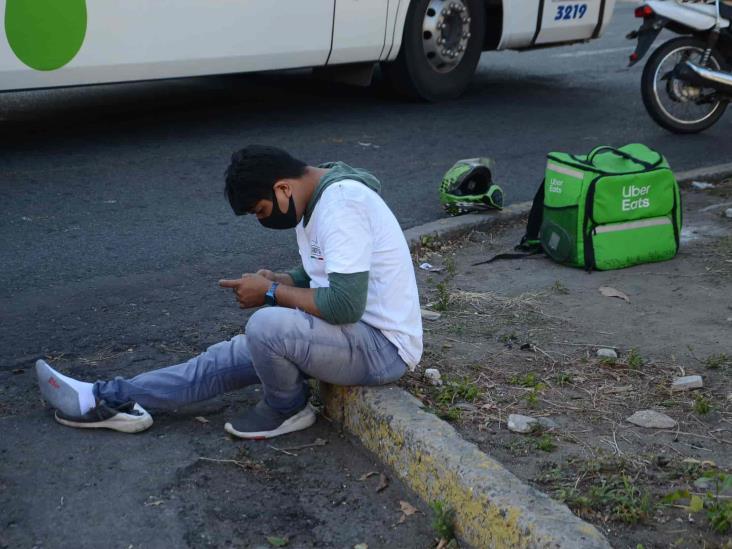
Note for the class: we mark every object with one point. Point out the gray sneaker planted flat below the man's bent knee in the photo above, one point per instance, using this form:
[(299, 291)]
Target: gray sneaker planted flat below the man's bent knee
[(262, 422)]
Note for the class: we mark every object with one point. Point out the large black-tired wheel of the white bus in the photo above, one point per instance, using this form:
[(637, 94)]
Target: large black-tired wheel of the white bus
[(440, 49)]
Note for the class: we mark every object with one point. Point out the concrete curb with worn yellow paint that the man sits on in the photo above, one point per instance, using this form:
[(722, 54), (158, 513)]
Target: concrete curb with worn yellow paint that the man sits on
[(493, 508)]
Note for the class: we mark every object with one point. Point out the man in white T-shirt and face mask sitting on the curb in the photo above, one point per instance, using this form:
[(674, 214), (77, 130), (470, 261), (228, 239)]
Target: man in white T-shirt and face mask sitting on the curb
[(349, 315)]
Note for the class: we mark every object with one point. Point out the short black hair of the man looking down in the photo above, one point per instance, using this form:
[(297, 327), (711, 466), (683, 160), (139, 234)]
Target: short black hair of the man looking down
[(253, 172)]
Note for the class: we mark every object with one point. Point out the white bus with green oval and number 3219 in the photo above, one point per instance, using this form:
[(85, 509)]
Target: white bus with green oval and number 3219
[(428, 49)]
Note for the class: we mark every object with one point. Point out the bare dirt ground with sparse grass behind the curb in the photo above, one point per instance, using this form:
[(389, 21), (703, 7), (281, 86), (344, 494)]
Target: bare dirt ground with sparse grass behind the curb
[(521, 336)]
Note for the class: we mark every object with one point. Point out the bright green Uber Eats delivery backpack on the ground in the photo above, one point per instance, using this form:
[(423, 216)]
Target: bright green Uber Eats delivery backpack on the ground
[(609, 209)]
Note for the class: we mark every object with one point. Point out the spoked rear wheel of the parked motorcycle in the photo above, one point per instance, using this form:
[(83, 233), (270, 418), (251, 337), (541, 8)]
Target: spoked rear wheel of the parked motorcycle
[(672, 103)]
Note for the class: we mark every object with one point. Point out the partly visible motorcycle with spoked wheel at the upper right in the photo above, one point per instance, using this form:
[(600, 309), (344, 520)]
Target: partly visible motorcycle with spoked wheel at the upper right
[(687, 82)]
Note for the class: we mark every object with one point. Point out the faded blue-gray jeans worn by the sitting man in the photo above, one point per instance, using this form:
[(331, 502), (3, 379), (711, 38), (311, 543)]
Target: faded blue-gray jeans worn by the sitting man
[(281, 349)]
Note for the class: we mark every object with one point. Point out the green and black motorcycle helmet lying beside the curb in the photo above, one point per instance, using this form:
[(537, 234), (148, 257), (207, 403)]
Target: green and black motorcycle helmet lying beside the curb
[(468, 187)]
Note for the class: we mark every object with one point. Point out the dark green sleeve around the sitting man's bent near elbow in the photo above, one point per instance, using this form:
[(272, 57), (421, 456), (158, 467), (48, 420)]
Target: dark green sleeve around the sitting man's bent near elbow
[(344, 301)]
